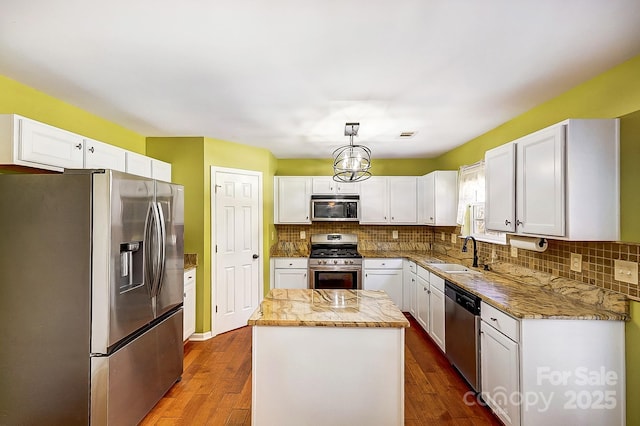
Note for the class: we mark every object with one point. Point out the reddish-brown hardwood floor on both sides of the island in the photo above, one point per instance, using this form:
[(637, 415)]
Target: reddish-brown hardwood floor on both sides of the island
[(216, 385)]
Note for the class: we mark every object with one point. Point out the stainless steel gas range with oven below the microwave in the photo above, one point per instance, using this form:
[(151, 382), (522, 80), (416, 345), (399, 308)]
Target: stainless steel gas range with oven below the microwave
[(334, 262)]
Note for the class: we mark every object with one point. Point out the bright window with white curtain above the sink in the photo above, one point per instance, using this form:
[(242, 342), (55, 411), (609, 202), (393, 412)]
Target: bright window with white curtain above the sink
[(471, 205)]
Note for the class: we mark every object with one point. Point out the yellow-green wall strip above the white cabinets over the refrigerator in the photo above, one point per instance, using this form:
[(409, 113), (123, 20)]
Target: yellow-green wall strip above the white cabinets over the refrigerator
[(16, 98)]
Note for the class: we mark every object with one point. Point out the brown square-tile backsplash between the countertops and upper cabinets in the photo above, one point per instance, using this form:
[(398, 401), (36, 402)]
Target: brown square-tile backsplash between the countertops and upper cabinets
[(597, 257)]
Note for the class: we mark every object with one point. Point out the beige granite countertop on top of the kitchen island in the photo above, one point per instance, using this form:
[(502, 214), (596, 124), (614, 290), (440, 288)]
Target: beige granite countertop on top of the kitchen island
[(328, 308)]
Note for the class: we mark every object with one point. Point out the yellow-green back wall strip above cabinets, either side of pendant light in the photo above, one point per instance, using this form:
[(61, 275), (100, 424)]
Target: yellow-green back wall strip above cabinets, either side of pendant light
[(379, 166)]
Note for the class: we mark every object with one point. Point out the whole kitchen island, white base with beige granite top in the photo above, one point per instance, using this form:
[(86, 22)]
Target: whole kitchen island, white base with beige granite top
[(325, 357)]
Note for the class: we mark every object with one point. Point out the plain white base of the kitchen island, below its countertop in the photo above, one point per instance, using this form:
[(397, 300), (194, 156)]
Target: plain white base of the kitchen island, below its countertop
[(327, 376)]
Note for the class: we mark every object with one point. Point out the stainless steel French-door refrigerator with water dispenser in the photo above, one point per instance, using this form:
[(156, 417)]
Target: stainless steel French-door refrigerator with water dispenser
[(91, 293)]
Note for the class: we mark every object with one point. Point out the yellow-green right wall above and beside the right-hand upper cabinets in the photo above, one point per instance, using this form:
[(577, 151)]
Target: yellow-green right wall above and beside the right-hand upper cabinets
[(615, 93)]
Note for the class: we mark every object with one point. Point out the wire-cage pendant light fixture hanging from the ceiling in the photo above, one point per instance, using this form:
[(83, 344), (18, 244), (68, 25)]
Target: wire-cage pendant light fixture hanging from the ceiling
[(351, 162)]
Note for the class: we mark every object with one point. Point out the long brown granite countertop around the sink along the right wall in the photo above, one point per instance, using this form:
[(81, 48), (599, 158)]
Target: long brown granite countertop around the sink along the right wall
[(522, 292)]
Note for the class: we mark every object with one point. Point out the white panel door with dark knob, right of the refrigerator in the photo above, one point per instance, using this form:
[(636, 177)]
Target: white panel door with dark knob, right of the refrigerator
[(236, 280)]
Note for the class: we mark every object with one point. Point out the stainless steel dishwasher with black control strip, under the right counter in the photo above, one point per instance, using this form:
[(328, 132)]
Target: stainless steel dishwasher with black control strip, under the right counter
[(462, 331)]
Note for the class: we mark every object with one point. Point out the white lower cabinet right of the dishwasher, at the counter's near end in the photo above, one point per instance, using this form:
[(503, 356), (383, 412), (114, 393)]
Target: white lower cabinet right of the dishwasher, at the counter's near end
[(548, 372)]
